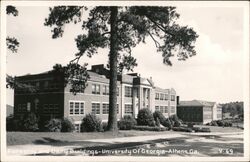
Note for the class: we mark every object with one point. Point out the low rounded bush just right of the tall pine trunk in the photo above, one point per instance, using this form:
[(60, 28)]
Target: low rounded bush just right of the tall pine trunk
[(127, 122)]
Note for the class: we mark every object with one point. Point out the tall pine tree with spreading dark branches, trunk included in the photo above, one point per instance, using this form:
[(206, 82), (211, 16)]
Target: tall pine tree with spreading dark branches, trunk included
[(121, 29)]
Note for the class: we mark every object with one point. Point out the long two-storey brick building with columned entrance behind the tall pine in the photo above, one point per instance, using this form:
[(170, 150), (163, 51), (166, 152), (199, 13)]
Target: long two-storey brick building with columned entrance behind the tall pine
[(54, 100)]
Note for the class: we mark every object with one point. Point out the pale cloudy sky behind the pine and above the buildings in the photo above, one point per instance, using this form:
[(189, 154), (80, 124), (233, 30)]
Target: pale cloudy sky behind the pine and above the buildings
[(214, 74)]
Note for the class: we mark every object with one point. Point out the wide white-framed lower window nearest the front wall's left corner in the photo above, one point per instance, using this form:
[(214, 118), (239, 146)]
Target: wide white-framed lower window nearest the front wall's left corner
[(75, 108)]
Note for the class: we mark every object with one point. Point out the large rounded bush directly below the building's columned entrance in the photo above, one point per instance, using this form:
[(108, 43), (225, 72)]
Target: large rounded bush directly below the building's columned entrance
[(145, 117)]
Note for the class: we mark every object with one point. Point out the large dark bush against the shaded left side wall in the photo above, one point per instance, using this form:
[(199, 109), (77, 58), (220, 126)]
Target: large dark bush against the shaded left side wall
[(29, 122)]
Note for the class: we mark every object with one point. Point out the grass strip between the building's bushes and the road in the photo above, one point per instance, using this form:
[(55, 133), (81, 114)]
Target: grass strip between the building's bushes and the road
[(21, 138)]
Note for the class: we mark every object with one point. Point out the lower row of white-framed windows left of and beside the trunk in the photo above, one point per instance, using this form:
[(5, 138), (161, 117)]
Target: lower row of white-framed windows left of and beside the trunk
[(77, 108)]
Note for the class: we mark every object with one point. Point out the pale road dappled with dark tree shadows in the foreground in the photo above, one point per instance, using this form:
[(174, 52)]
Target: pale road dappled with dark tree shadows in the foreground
[(217, 147)]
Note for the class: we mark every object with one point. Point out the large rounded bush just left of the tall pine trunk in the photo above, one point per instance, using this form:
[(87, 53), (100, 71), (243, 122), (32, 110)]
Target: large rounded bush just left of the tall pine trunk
[(91, 123)]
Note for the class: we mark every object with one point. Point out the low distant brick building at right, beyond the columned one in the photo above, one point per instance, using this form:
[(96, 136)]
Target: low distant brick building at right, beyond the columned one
[(197, 111)]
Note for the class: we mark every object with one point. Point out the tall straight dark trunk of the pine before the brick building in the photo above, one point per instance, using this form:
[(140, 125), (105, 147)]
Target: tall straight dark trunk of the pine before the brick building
[(112, 120)]
